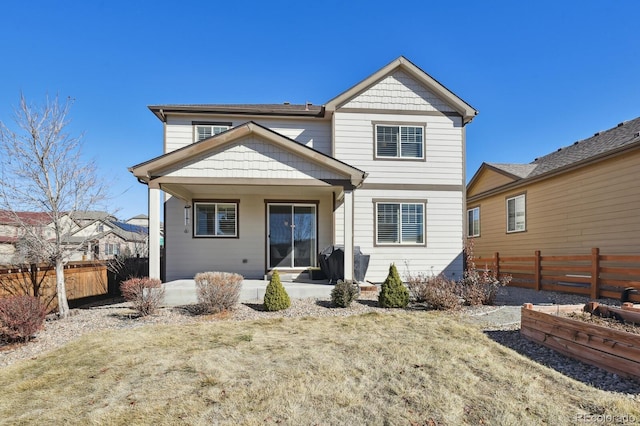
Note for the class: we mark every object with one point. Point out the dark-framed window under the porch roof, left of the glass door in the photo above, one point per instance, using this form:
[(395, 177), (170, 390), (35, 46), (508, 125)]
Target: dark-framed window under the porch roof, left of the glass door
[(216, 219)]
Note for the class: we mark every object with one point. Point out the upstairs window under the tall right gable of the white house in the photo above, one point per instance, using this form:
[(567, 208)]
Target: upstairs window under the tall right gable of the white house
[(399, 141)]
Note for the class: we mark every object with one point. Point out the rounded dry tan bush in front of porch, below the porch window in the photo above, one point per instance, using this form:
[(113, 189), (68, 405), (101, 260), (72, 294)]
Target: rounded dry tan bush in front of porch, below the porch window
[(218, 291)]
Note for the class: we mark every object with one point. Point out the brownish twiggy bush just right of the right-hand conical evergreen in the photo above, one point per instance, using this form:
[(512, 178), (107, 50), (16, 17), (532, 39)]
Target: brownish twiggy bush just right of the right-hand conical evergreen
[(436, 291)]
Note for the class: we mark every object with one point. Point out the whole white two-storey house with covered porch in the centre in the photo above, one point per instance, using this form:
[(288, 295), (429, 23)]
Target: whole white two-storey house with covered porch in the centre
[(252, 188)]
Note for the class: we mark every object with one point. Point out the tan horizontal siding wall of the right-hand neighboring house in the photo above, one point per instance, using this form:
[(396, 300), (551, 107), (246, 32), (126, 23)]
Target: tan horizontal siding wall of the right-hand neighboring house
[(594, 206)]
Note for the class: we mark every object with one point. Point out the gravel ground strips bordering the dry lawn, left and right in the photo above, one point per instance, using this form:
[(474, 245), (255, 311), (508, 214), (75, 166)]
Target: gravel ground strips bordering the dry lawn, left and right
[(501, 323)]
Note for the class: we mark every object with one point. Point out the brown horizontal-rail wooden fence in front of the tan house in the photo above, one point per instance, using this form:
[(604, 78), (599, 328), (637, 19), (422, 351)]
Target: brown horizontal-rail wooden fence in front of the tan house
[(595, 275)]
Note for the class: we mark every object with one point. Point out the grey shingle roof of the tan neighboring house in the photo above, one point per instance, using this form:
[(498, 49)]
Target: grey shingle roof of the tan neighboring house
[(624, 136)]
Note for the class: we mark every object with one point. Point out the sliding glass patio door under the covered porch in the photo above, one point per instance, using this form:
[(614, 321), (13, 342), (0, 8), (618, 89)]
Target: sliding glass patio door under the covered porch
[(291, 239)]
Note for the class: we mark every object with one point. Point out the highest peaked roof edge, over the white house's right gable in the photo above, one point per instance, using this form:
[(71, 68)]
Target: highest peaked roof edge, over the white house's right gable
[(466, 111)]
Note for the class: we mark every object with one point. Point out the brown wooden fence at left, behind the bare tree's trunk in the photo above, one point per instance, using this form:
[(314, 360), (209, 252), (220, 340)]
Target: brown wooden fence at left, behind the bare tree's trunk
[(82, 279)]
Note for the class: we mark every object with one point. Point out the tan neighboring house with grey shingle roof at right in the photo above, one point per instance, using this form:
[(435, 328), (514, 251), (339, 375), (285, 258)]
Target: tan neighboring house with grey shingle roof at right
[(582, 196)]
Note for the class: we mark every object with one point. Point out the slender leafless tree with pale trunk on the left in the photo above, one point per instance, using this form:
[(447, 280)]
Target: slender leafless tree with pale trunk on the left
[(42, 170)]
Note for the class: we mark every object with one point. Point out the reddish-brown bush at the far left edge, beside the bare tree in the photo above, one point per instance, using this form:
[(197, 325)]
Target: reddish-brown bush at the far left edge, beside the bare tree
[(20, 318)]
